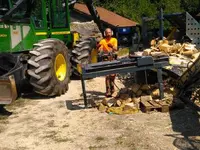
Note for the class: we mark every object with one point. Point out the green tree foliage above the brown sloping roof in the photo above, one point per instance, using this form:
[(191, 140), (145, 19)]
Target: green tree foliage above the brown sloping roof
[(135, 9)]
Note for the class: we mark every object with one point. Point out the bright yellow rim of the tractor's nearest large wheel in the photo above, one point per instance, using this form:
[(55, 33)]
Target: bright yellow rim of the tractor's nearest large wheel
[(60, 67)]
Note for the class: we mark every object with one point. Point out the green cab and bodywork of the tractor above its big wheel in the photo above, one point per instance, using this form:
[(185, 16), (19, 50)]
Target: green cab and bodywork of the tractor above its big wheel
[(25, 22)]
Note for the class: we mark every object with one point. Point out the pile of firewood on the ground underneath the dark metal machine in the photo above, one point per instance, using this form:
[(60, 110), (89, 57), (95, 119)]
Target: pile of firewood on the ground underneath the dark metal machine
[(128, 100)]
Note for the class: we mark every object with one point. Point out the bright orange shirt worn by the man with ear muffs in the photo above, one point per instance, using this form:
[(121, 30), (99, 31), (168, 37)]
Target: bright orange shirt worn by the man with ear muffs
[(104, 44)]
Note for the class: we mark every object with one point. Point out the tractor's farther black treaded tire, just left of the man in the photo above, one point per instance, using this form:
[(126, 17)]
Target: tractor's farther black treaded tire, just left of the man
[(82, 51)]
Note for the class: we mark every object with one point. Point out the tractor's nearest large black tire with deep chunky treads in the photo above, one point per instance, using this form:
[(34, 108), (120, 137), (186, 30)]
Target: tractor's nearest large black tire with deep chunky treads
[(42, 70)]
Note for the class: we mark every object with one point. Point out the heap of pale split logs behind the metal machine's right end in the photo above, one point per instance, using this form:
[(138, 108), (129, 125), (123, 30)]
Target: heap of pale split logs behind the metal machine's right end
[(181, 55)]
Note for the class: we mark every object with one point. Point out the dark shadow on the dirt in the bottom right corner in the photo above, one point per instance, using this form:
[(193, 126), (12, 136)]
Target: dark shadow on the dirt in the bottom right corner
[(186, 123)]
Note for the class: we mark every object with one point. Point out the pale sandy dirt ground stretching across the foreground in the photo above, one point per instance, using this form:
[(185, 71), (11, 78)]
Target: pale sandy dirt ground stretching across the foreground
[(49, 124)]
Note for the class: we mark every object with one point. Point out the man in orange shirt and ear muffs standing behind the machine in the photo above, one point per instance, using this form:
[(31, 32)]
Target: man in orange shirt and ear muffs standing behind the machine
[(107, 47)]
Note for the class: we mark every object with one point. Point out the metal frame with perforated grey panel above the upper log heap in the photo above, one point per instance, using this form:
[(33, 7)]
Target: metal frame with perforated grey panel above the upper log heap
[(183, 21)]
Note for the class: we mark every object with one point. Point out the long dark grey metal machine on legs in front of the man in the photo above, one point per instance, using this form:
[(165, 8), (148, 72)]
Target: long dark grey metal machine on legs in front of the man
[(121, 66)]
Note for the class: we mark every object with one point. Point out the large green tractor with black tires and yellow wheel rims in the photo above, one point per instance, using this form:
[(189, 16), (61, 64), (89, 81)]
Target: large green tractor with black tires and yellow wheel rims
[(38, 49)]
